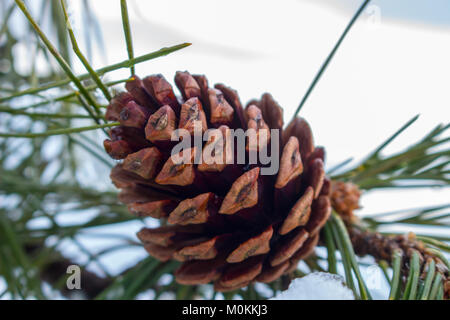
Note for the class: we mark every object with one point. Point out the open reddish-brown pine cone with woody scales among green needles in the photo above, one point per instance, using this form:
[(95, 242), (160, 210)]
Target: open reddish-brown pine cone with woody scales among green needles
[(228, 223)]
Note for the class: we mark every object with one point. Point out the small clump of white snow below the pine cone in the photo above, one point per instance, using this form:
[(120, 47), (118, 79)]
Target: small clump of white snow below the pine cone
[(317, 286)]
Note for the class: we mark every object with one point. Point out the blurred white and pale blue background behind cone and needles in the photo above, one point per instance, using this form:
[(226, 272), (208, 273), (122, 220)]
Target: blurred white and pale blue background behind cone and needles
[(392, 65)]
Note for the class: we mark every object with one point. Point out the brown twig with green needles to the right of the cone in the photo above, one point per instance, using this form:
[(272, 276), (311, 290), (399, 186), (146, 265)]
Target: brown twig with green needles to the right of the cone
[(408, 257)]
